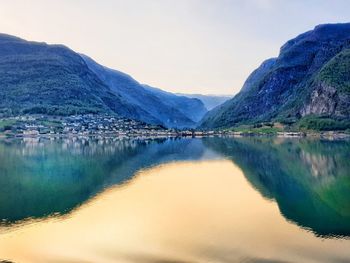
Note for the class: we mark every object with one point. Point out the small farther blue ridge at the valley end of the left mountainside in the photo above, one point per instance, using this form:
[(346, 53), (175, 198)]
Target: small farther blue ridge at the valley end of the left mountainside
[(191, 107)]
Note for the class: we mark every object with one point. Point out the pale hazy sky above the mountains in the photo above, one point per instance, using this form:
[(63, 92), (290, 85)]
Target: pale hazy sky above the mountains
[(188, 46)]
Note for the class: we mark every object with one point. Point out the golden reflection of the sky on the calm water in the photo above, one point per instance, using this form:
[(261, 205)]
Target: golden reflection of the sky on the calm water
[(179, 212)]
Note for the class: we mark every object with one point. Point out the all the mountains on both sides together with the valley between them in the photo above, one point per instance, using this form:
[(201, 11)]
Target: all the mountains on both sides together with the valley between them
[(307, 87)]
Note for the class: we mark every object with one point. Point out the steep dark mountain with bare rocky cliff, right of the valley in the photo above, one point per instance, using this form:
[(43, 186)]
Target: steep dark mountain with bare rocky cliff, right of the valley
[(309, 81)]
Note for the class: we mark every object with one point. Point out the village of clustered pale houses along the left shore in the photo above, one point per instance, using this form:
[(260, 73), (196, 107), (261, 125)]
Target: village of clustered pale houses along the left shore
[(85, 125)]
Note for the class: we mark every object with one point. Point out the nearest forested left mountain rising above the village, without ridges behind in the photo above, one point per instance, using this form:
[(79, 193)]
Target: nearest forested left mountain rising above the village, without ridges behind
[(52, 79)]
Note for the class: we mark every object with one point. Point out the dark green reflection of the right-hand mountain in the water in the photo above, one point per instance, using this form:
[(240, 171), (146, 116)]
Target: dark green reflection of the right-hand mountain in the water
[(309, 179)]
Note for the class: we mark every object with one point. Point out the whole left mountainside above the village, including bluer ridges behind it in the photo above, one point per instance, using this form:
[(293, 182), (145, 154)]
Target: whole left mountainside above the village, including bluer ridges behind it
[(37, 78)]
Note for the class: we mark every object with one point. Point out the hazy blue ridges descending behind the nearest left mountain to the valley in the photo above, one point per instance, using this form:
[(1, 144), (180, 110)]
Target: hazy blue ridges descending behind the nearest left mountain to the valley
[(169, 109)]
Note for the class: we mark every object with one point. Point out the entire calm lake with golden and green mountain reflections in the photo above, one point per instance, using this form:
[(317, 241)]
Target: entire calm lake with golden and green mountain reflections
[(174, 200)]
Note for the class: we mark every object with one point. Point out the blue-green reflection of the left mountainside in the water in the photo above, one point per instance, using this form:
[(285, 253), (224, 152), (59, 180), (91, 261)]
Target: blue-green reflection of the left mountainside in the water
[(42, 177)]
